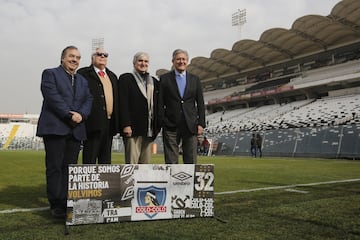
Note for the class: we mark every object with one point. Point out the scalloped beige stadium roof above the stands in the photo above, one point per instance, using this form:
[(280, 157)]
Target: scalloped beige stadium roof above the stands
[(309, 34)]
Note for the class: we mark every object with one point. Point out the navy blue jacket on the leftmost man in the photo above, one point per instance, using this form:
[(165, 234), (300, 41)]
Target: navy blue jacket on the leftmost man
[(59, 99)]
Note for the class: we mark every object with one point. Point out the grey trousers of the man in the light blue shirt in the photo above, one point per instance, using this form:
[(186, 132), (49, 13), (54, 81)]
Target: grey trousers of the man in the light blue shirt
[(172, 141)]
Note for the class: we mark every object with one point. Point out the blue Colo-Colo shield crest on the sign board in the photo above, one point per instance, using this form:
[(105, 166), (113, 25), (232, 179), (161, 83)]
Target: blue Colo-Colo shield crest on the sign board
[(151, 201)]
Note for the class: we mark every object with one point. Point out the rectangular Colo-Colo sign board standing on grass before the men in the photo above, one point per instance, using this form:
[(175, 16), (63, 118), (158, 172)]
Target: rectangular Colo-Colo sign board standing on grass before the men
[(129, 192)]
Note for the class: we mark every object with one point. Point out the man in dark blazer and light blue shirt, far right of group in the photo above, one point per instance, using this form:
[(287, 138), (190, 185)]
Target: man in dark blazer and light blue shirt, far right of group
[(181, 110)]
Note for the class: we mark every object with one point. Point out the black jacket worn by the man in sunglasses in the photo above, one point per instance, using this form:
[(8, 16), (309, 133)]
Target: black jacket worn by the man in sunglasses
[(98, 115)]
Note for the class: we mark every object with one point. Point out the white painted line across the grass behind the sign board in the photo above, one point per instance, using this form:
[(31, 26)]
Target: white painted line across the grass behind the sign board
[(17, 210)]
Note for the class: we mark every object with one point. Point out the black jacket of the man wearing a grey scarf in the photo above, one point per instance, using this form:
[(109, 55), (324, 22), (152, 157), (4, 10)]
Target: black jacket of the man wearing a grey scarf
[(133, 106)]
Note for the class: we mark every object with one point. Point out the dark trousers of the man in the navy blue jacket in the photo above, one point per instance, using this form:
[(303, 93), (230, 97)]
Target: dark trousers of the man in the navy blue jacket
[(60, 151)]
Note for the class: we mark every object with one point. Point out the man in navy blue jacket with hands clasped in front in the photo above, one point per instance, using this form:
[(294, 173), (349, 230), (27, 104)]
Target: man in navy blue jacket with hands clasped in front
[(66, 104)]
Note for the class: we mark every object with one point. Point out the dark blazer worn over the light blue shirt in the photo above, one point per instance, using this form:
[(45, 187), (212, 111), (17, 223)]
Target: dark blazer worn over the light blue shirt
[(172, 105)]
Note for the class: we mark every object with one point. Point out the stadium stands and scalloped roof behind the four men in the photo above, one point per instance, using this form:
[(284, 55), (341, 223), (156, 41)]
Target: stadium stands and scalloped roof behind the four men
[(299, 88)]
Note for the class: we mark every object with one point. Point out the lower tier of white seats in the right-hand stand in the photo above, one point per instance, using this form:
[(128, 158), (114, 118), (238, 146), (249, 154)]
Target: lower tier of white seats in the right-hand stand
[(306, 113)]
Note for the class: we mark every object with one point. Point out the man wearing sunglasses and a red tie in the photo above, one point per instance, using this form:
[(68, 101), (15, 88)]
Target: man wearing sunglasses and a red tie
[(101, 125)]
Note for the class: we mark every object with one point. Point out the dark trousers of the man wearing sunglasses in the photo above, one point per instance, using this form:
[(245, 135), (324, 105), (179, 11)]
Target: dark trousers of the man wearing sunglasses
[(98, 146)]
